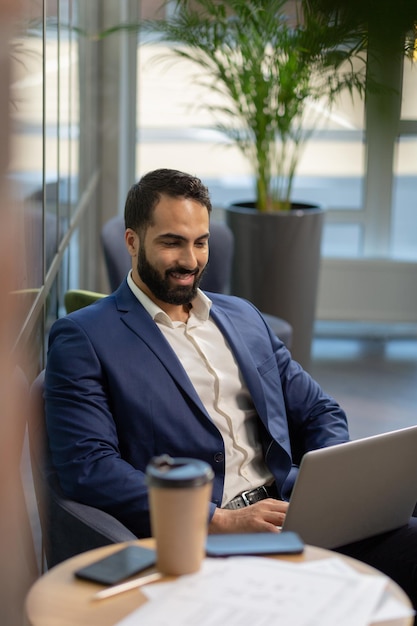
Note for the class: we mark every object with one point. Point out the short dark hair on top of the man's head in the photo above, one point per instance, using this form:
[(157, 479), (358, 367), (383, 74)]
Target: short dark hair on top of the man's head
[(144, 195)]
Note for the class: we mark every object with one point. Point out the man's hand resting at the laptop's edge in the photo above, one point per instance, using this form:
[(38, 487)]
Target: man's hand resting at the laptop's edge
[(263, 516)]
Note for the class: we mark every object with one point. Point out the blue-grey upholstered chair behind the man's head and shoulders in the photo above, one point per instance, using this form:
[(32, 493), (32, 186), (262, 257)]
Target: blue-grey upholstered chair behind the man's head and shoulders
[(216, 277)]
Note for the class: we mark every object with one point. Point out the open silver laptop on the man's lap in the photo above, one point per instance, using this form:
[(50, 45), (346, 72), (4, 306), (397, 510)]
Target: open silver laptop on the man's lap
[(354, 490)]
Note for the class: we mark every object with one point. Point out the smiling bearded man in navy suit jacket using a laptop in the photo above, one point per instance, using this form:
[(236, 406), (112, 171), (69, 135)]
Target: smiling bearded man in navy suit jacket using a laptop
[(160, 367)]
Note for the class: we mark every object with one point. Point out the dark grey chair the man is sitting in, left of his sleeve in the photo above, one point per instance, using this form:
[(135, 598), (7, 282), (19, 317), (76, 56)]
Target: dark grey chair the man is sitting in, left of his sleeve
[(68, 527)]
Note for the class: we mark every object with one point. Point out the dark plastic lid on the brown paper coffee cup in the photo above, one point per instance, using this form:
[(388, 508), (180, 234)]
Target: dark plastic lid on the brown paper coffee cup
[(165, 471)]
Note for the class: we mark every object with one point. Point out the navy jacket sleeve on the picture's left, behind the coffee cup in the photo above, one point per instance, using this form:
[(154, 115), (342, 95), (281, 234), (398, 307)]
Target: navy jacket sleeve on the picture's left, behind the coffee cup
[(82, 432)]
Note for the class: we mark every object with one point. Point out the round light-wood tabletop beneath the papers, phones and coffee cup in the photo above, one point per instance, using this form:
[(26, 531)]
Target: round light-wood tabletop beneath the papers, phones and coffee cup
[(59, 599)]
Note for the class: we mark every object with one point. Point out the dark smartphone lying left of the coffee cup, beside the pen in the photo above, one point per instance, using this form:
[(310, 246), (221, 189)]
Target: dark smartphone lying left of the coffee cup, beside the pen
[(118, 566)]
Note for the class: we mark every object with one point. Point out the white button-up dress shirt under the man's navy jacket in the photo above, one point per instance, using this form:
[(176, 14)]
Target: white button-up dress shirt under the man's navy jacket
[(215, 375)]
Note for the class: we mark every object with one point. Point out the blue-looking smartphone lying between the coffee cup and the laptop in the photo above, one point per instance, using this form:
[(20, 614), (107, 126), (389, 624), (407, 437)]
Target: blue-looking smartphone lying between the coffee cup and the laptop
[(285, 542)]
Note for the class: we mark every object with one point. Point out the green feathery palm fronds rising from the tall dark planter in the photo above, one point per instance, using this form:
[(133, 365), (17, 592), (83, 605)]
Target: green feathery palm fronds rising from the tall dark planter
[(267, 67)]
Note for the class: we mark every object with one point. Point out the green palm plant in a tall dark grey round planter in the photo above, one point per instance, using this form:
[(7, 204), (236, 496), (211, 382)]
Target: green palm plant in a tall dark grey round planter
[(266, 67)]
